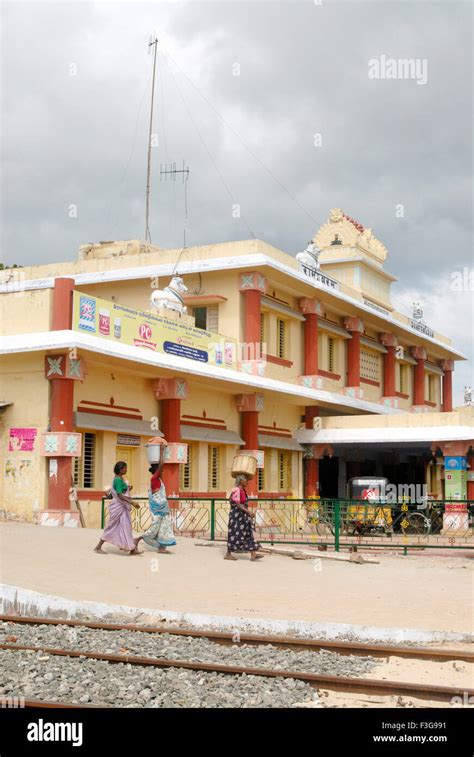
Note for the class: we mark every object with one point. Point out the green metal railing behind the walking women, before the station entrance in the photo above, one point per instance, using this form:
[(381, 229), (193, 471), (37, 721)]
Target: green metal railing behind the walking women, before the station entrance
[(336, 523)]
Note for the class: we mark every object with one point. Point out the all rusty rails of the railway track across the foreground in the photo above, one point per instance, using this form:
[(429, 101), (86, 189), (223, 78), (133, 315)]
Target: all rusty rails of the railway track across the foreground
[(339, 683)]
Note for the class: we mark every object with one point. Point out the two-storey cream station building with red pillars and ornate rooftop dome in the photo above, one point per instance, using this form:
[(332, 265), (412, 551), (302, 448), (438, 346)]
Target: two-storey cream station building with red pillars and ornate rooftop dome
[(311, 366)]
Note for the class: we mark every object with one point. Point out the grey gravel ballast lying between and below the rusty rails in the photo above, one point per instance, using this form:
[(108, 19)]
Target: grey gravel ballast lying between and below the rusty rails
[(36, 675)]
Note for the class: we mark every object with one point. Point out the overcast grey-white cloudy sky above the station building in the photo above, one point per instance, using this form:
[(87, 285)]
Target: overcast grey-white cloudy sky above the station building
[(81, 139)]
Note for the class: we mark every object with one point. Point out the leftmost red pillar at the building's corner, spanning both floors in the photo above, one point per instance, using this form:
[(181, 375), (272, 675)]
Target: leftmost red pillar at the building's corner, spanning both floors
[(61, 399)]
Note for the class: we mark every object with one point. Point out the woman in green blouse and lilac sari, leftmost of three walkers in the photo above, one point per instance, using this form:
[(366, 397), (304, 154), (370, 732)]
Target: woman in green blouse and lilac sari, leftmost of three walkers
[(119, 527)]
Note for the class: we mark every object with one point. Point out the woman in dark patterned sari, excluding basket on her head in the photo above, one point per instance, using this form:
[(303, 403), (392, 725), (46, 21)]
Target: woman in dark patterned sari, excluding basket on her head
[(240, 535)]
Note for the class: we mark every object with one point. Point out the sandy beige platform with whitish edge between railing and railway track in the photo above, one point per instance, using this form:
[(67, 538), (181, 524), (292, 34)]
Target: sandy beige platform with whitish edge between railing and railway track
[(416, 598)]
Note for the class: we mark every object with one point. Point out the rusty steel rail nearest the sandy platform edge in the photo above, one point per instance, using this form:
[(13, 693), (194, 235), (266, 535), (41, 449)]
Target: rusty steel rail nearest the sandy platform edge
[(341, 647)]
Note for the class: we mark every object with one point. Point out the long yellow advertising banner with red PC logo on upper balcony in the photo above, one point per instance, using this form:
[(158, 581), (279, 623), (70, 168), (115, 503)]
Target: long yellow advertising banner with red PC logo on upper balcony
[(143, 328)]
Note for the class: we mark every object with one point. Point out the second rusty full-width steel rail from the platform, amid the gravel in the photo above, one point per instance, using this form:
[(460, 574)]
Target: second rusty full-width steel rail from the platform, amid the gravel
[(338, 683)]
